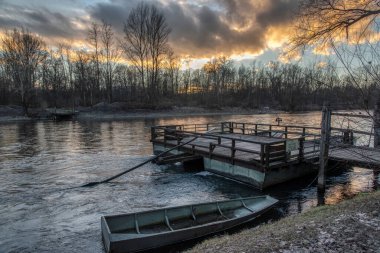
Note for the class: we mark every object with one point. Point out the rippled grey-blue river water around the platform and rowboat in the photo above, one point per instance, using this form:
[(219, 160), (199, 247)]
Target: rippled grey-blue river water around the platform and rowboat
[(39, 160)]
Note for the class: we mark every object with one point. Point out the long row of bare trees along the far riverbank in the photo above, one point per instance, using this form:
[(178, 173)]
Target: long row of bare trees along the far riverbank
[(141, 70)]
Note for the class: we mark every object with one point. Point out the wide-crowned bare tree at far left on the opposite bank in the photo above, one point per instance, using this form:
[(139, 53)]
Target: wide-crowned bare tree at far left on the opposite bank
[(22, 53)]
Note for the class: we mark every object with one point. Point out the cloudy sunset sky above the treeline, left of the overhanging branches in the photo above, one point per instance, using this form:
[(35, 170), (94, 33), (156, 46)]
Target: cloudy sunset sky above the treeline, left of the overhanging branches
[(201, 29)]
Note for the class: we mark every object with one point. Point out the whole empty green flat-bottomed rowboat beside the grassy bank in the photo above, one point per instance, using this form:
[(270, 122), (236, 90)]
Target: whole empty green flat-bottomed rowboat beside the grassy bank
[(135, 232)]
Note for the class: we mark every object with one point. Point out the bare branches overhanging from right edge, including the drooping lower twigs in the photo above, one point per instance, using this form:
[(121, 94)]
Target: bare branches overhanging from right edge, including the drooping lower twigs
[(347, 27)]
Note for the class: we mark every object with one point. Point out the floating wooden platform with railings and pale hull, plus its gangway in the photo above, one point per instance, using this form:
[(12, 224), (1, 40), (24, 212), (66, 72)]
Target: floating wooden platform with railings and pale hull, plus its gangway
[(260, 154)]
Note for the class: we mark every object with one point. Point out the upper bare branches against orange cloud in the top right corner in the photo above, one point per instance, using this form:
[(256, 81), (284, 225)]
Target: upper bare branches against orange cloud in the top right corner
[(321, 22)]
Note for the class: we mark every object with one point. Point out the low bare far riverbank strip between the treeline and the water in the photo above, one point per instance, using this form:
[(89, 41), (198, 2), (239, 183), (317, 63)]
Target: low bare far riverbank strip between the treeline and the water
[(12, 114)]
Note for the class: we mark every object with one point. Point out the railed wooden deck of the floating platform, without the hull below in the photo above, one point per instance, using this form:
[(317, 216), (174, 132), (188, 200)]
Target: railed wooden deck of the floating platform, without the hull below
[(261, 145)]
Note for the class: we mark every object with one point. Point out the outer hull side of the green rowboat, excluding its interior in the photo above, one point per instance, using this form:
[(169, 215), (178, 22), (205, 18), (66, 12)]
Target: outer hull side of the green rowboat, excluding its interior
[(121, 243)]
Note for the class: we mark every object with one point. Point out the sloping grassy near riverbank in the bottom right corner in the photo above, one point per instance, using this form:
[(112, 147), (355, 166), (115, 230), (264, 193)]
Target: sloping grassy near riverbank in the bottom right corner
[(350, 226)]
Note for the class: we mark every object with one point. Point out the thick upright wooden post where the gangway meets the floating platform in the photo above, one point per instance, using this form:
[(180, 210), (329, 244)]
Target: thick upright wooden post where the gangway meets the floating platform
[(324, 146)]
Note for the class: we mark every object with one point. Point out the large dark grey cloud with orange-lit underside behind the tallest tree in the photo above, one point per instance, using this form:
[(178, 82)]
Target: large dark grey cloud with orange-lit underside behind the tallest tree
[(207, 28)]
